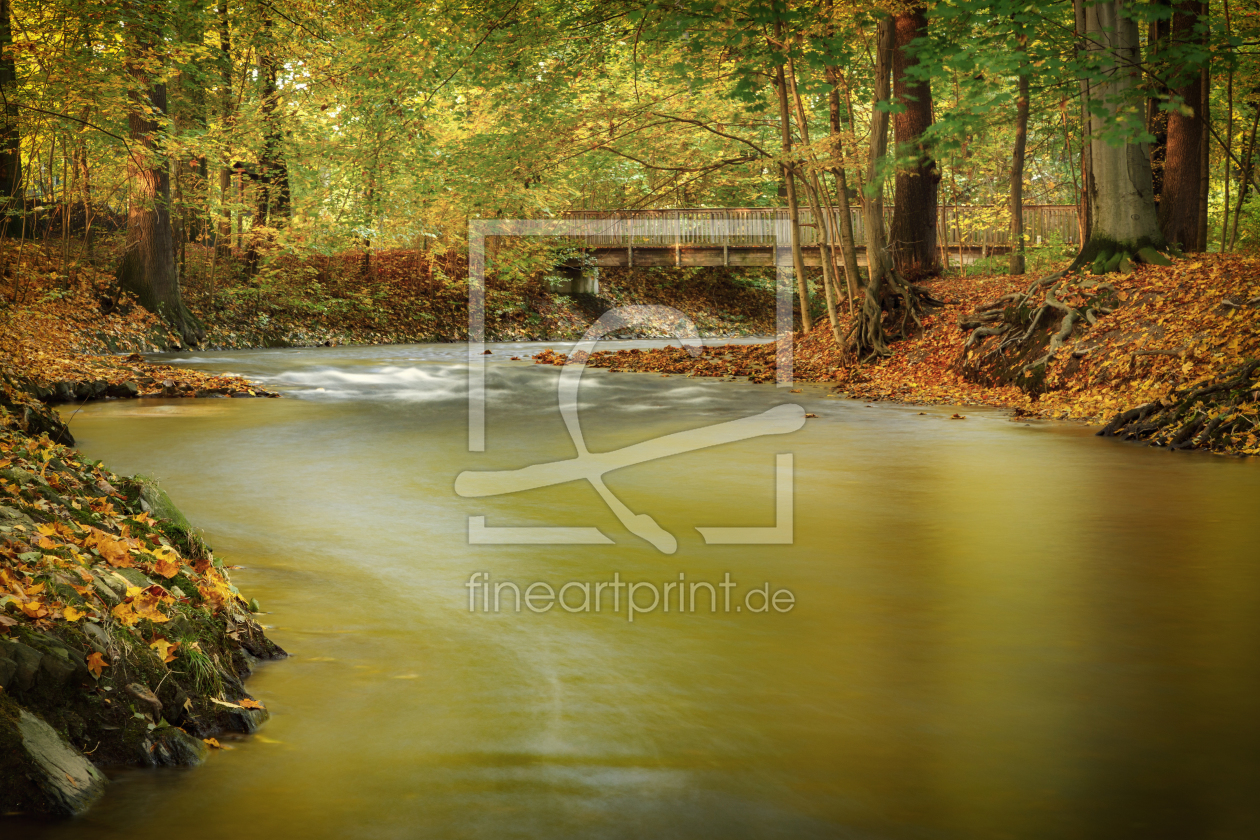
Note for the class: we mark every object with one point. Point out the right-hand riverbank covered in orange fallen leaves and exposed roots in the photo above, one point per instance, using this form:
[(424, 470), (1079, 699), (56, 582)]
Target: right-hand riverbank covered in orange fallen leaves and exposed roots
[(1164, 355)]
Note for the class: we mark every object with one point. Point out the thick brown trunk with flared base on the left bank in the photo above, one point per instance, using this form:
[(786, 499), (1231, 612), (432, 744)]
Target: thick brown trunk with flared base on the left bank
[(148, 266)]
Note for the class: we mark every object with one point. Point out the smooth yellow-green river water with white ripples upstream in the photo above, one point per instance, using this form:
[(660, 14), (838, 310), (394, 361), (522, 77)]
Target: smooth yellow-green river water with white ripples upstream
[(999, 630)]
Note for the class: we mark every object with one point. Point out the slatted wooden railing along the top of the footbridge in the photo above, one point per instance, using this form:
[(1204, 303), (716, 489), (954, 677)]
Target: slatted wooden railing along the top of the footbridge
[(971, 226)]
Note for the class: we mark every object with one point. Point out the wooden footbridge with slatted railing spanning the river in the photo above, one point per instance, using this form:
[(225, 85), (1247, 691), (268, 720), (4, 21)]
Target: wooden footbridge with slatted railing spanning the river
[(740, 237)]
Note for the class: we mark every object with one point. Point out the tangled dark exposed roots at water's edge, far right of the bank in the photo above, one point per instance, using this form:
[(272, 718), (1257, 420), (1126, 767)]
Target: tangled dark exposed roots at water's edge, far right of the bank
[(1200, 416)]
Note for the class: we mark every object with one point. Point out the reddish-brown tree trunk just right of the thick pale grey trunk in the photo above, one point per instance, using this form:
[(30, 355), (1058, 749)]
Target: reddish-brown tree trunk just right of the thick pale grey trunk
[(1179, 200)]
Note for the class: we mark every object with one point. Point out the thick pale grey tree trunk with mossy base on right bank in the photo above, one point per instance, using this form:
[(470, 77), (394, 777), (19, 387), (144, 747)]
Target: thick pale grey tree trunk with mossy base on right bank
[(1121, 192)]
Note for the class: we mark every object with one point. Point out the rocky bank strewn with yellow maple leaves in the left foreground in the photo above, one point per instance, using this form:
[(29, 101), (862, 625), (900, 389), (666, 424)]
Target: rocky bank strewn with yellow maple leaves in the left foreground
[(123, 640)]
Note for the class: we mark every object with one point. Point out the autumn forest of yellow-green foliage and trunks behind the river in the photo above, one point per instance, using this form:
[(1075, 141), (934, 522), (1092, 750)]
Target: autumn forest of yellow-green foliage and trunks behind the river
[(302, 161)]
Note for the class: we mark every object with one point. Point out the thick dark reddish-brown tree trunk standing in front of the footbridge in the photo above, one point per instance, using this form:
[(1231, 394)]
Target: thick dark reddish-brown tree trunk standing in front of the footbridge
[(914, 216)]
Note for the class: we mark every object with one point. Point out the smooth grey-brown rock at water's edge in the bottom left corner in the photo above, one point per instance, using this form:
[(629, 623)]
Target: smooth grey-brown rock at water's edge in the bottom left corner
[(42, 771)]
